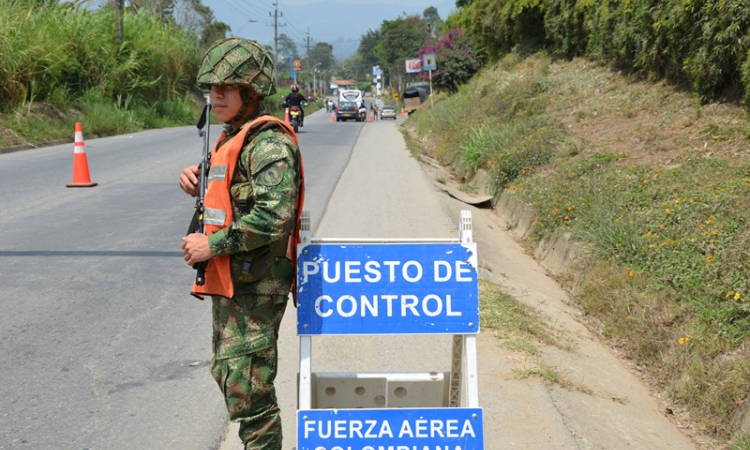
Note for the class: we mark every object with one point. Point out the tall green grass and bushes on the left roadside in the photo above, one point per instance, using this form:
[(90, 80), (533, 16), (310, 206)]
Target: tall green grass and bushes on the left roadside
[(63, 63)]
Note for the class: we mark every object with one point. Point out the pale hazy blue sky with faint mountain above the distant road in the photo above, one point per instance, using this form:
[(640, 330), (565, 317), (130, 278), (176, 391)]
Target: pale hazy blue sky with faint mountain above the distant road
[(337, 23)]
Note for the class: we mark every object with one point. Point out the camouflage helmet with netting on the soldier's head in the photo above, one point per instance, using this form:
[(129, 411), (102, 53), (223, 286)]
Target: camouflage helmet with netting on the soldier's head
[(238, 61)]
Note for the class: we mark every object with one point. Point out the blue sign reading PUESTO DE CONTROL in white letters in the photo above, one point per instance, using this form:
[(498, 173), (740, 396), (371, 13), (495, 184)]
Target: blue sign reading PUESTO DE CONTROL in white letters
[(387, 289)]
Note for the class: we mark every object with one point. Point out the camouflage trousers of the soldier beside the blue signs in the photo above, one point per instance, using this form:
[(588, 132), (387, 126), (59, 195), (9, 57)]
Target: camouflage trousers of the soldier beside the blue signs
[(245, 362)]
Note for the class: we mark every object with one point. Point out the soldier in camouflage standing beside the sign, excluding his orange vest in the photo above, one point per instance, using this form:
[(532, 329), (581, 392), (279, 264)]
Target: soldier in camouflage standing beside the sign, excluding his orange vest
[(264, 188)]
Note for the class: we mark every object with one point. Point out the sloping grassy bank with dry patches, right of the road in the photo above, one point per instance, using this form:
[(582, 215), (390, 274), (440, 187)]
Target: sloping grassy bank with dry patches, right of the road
[(653, 185)]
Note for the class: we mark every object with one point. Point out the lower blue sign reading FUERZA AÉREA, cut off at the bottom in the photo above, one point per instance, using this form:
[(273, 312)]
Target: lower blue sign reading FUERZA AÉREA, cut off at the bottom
[(374, 429)]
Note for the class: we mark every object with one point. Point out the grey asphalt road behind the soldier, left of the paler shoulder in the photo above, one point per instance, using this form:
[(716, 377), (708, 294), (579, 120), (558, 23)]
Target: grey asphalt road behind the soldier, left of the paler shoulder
[(101, 347)]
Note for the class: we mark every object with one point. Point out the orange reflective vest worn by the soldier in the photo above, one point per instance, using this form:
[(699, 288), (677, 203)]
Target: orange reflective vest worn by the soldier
[(218, 208)]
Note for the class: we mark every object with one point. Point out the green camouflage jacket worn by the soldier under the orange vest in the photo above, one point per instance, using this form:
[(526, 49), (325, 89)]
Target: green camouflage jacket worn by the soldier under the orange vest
[(263, 192)]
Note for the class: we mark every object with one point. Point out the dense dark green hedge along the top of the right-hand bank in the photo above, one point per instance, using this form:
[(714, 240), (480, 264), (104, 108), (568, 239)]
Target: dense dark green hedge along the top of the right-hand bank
[(702, 44)]
